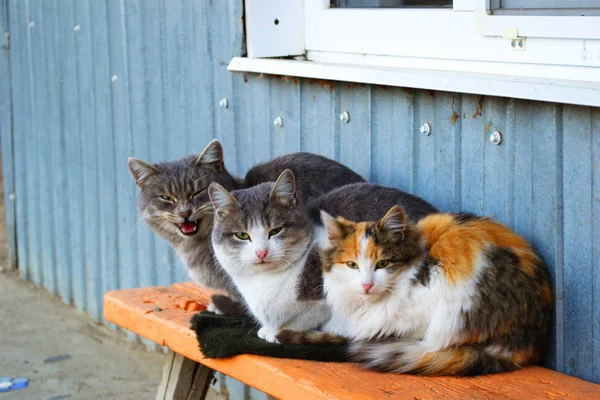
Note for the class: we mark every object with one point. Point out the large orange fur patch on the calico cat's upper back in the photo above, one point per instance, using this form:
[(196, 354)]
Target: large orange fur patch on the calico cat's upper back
[(457, 246)]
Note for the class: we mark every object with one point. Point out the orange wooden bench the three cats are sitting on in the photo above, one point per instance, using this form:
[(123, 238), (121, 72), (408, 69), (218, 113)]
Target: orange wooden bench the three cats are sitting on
[(162, 314)]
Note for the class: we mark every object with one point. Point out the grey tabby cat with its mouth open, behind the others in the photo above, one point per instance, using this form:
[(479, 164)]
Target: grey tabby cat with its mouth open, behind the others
[(174, 200)]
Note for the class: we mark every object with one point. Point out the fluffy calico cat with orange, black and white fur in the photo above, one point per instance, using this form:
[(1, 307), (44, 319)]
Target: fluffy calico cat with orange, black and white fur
[(454, 294)]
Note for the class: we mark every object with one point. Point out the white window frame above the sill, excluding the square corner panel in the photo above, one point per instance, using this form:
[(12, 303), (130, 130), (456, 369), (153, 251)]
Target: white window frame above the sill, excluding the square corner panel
[(442, 34)]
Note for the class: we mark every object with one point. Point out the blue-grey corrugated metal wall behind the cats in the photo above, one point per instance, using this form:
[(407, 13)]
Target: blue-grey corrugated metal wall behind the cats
[(94, 82)]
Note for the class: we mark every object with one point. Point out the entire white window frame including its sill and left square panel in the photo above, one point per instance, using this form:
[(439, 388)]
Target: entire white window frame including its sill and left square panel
[(464, 42)]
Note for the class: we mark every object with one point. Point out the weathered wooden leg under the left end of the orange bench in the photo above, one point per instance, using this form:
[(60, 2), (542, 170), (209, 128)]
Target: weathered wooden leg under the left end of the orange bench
[(183, 379)]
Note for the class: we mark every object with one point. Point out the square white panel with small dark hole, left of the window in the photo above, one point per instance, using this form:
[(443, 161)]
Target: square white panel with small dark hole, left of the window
[(264, 37)]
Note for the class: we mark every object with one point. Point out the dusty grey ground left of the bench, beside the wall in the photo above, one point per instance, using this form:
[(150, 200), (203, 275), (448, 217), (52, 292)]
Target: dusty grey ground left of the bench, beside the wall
[(62, 351)]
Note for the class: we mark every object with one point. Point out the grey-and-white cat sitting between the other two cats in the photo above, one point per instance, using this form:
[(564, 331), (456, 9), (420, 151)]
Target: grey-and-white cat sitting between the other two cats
[(264, 238)]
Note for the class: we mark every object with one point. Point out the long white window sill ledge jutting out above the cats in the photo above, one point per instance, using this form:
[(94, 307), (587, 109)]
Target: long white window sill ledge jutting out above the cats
[(561, 91)]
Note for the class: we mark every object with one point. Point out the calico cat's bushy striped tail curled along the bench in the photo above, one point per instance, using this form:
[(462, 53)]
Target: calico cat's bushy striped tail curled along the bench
[(412, 357)]
